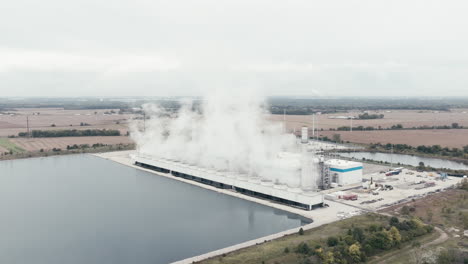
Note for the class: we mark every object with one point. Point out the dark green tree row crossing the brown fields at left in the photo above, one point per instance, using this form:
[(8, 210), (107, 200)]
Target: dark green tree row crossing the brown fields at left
[(71, 133)]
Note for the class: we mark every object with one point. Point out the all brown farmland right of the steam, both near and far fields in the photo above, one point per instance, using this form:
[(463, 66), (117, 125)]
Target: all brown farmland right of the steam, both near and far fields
[(453, 138)]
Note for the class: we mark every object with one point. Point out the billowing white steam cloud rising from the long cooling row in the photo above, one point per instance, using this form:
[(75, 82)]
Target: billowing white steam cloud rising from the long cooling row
[(231, 134)]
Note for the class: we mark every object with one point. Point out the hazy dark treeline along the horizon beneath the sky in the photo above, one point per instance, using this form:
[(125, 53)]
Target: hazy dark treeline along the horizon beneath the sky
[(276, 105)]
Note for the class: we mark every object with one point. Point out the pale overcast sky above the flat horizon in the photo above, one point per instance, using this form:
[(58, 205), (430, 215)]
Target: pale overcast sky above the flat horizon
[(165, 48)]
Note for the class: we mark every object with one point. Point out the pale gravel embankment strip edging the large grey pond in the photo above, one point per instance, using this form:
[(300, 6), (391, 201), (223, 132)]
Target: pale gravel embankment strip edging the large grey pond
[(318, 216)]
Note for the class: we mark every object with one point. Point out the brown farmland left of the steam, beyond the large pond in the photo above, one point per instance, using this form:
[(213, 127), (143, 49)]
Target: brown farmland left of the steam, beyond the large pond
[(14, 122)]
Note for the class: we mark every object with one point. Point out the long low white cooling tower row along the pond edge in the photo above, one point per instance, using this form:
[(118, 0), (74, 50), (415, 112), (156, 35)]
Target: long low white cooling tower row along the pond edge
[(253, 186)]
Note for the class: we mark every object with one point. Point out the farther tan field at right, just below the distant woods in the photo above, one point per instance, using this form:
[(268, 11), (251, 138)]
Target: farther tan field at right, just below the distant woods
[(408, 118)]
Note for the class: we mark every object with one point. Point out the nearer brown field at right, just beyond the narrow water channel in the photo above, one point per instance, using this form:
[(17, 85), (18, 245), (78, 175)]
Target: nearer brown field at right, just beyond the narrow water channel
[(452, 138)]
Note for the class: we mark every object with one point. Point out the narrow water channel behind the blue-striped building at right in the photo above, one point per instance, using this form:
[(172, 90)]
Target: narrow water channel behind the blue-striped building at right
[(407, 159)]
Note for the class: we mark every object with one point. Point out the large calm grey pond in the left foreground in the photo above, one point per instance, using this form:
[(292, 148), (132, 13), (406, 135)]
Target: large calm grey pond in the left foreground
[(84, 209)]
